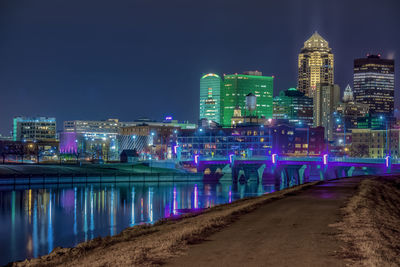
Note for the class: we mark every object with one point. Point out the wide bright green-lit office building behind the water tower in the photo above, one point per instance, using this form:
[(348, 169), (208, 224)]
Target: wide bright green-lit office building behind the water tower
[(237, 86)]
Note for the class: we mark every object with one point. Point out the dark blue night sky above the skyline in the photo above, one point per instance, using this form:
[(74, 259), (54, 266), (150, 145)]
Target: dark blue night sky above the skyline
[(84, 59)]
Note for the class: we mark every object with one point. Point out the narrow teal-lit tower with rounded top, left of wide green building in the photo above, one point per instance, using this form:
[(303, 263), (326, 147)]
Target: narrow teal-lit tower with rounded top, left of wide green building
[(210, 97)]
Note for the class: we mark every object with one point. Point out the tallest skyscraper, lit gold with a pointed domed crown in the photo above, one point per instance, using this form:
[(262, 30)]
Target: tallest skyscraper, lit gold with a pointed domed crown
[(315, 65)]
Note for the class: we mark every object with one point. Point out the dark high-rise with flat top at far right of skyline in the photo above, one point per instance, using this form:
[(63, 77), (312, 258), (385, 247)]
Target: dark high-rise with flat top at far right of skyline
[(374, 84)]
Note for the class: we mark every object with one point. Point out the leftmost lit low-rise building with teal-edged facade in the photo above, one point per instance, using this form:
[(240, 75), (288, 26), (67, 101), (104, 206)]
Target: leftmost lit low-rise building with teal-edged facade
[(34, 129)]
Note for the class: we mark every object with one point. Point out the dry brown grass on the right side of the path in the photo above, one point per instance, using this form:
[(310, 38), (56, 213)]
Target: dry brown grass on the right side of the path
[(371, 224)]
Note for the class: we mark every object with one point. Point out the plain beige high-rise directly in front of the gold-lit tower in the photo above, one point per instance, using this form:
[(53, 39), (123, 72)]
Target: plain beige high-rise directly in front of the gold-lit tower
[(326, 98)]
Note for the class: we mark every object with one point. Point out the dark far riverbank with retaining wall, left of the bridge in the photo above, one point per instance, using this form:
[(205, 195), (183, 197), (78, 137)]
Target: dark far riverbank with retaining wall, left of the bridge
[(54, 170)]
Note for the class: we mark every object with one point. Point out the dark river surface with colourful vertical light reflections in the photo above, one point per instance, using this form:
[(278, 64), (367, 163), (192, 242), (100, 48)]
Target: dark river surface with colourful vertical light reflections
[(35, 221)]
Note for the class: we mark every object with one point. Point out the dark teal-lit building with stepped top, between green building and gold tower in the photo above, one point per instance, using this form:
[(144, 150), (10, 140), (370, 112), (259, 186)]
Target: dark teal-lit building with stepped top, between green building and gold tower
[(294, 106)]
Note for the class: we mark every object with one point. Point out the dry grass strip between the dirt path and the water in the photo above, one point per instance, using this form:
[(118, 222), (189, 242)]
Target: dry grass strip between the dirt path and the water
[(149, 245)]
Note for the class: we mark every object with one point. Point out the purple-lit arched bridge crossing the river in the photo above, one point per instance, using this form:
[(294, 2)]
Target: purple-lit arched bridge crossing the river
[(288, 171)]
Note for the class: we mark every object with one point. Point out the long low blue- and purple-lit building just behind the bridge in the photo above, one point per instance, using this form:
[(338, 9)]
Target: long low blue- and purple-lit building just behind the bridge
[(250, 140)]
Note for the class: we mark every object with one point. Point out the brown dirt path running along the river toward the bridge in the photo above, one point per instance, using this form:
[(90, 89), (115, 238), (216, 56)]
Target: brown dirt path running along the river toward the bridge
[(293, 231)]
